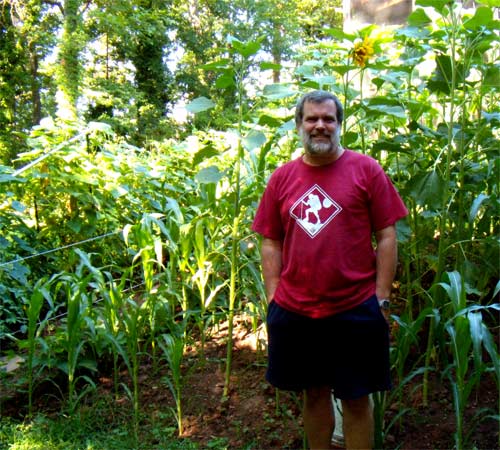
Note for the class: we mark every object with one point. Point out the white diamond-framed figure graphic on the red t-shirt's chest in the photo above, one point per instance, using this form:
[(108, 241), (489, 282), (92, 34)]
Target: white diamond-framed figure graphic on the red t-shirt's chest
[(314, 210)]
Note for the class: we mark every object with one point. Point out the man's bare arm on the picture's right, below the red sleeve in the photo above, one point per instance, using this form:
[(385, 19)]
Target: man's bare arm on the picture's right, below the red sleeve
[(387, 255)]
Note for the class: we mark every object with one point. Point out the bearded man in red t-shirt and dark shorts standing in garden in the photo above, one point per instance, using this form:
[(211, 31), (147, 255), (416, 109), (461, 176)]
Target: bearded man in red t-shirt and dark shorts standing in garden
[(327, 286)]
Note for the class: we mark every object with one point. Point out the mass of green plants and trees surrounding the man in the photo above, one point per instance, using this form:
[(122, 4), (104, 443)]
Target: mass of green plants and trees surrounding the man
[(140, 247)]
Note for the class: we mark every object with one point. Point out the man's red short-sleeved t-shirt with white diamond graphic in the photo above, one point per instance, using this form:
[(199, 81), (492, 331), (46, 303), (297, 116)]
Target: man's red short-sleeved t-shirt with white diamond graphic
[(325, 217)]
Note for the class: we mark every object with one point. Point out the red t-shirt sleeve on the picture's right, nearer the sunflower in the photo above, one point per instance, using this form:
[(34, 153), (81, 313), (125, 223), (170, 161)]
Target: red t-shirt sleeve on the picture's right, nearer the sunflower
[(386, 205)]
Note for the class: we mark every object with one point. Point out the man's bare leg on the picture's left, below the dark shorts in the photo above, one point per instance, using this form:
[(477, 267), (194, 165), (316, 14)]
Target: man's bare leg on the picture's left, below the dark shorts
[(318, 417)]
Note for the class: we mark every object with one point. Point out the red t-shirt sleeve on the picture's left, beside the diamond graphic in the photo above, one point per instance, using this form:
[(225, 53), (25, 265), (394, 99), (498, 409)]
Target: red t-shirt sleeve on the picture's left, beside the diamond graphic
[(267, 221)]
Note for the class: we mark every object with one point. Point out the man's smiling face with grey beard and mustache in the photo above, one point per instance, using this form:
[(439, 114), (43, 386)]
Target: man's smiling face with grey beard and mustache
[(319, 130)]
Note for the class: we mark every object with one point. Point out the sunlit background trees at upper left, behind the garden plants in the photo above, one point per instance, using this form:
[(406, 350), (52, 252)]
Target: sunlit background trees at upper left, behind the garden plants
[(129, 63)]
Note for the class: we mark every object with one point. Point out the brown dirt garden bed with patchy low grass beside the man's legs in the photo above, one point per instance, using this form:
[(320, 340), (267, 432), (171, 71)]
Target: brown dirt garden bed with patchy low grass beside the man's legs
[(254, 415)]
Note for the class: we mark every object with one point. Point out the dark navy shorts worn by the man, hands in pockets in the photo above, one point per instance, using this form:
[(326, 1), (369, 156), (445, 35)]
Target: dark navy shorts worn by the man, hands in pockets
[(348, 351)]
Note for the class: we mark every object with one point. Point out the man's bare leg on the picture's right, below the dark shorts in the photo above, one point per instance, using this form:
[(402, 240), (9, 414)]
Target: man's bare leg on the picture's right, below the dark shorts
[(358, 423)]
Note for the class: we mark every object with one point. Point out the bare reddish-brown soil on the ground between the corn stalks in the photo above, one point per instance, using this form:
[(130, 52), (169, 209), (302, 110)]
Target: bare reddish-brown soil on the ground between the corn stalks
[(256, 416)]
